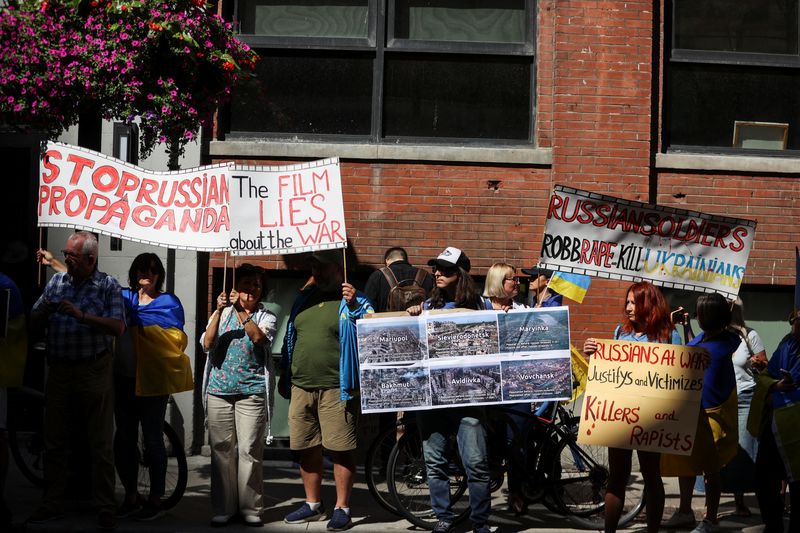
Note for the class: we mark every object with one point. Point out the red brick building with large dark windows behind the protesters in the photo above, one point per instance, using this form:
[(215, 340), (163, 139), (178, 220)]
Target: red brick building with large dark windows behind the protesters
[(454, 119)]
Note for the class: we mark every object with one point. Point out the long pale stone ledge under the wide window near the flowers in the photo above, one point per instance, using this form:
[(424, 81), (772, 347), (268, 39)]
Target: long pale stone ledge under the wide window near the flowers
[(517, 155)]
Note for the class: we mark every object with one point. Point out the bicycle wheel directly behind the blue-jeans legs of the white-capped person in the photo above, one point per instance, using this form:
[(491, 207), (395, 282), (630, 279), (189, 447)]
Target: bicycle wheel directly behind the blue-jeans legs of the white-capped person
[(408, 484)]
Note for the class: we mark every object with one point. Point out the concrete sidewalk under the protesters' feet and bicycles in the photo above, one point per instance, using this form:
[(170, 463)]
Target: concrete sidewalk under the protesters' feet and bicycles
[(283, 491)]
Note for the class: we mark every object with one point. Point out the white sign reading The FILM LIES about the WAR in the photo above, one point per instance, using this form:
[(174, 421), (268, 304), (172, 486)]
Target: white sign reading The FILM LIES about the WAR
[(287, 209)]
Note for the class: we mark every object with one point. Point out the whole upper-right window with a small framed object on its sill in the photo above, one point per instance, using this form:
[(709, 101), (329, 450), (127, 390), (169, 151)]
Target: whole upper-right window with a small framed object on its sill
[(732, 62)]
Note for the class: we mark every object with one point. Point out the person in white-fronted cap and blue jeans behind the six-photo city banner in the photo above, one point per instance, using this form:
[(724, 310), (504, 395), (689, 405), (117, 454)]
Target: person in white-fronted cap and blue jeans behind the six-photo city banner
[(455, 289)]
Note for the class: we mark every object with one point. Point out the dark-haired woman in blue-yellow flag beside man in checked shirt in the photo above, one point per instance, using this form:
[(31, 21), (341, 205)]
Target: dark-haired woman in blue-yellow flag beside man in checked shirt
[(150, 364)]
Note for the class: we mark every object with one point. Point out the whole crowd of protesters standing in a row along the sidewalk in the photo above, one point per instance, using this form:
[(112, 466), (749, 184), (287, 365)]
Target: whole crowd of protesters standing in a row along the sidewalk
[(109, 348)]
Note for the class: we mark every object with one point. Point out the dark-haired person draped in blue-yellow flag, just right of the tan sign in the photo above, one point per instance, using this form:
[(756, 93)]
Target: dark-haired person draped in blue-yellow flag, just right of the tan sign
[(716, 440)]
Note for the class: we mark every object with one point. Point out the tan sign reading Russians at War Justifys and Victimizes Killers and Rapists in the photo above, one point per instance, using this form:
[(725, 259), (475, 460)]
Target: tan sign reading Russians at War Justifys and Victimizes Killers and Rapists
[(643, 396)]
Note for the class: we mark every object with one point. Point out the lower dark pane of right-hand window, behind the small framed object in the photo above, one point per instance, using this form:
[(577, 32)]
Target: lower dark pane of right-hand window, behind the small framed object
[(706, 100)]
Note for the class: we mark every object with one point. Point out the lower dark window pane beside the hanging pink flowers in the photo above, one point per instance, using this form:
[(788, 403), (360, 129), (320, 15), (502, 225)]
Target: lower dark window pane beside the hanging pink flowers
[(327, 93)]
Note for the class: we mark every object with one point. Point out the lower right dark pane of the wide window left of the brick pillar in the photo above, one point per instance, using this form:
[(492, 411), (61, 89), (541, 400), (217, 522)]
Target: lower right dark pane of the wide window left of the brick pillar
[(473, 97)]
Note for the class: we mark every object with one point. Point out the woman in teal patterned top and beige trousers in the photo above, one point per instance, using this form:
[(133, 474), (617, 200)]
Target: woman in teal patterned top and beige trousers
[(238, 383)]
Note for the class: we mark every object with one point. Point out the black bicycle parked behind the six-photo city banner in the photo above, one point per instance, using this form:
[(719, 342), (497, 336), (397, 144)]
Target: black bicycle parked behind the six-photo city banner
[(566, 477)]
